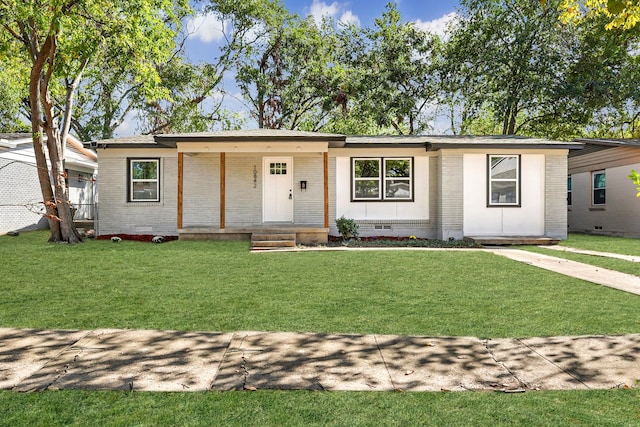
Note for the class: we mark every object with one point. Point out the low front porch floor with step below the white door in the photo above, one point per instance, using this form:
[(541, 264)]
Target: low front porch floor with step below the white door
[(304, 234)]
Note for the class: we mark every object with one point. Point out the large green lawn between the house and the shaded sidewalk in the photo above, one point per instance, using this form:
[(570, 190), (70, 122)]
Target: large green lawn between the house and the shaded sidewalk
[(220, 286)]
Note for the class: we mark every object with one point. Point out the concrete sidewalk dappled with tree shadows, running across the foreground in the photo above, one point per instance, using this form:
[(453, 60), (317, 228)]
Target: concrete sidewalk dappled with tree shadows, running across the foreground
[(150, 360)]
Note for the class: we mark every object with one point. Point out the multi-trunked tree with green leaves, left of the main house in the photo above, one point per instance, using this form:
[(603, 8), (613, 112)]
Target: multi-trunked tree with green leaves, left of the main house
[(55, 41)]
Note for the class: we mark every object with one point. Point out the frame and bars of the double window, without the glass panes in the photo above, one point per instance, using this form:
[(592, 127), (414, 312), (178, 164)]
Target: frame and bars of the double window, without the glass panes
[(383, 180)]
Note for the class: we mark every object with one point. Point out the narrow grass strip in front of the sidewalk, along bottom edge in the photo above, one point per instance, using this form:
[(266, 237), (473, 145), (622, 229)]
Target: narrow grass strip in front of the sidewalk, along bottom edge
[(302, 408)]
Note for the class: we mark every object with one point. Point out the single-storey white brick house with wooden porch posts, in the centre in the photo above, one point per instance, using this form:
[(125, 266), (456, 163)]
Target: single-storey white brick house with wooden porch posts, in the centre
[(230, 184)]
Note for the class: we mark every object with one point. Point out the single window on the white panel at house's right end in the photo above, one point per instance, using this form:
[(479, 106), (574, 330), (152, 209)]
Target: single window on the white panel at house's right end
[(504, 180)]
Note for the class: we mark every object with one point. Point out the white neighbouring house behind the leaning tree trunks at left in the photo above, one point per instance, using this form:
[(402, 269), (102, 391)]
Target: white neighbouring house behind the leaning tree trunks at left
[(21, 206)]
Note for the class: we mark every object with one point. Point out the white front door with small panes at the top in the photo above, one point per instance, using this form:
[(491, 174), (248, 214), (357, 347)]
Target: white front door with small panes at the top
[(277, 204)]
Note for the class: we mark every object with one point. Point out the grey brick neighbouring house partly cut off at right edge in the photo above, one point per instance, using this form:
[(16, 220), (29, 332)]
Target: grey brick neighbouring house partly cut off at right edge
[(601, 197)]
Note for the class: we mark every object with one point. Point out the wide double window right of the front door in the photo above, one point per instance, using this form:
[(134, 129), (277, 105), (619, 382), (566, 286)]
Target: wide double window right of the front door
[(385, 179)]
